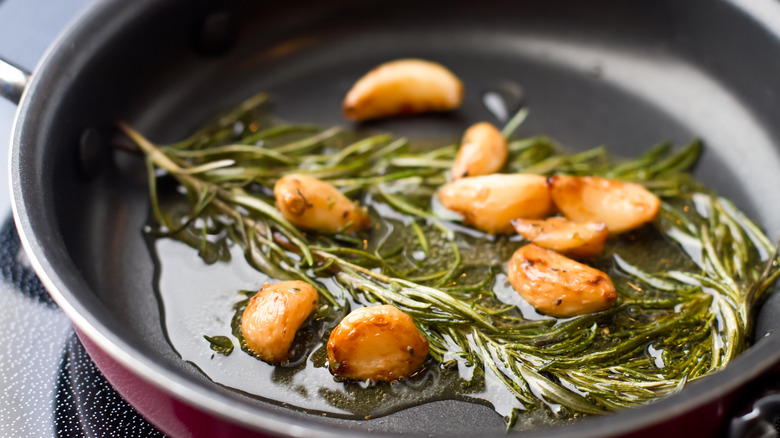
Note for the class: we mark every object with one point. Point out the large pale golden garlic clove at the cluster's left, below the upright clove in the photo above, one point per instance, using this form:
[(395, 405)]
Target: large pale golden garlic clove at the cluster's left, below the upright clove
[(490, 202)]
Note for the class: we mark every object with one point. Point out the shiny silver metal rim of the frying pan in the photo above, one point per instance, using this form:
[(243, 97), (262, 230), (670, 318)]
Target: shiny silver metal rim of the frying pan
[(176, 386)]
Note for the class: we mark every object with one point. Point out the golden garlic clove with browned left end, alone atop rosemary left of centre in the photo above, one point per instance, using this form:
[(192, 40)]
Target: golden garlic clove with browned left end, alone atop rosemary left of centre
[(312, 204)]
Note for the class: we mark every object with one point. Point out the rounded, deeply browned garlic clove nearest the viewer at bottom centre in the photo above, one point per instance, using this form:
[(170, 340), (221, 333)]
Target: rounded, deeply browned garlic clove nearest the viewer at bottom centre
[(376, 343)]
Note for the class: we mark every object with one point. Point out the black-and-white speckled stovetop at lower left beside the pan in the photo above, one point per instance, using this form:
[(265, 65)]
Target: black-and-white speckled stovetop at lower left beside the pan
[(50, 385)]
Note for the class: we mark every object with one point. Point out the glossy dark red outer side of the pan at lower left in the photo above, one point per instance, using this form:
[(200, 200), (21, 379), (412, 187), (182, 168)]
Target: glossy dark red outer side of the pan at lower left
[(166, 413)]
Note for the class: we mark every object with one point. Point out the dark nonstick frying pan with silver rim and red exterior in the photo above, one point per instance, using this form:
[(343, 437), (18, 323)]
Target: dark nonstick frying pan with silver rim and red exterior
[(624, 74)]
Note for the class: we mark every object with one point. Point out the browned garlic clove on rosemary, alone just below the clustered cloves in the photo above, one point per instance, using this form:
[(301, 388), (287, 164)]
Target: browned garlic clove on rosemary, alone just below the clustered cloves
[(557, 285)]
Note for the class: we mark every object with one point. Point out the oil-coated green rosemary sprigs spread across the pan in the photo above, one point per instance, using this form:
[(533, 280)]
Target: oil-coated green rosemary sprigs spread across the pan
[(696, 318)]
